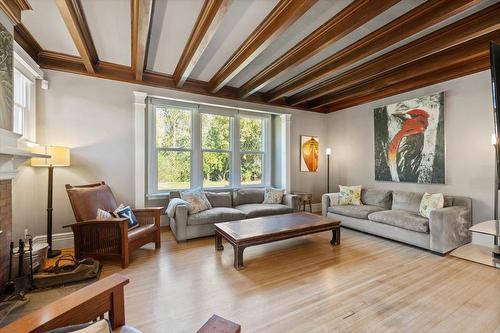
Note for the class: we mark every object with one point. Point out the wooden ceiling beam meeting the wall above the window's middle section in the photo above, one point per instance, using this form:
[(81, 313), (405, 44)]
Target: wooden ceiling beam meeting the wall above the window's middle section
[(278, 20)]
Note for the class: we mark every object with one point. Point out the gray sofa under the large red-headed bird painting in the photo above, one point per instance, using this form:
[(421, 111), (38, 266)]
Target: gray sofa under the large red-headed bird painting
[(395, 215)]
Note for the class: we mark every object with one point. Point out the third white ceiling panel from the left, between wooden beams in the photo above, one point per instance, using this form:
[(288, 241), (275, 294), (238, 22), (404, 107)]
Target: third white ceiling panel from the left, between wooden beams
[(173, 21)]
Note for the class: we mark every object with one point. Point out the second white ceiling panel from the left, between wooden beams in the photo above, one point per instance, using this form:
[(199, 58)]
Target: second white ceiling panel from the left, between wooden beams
[(111, 33)]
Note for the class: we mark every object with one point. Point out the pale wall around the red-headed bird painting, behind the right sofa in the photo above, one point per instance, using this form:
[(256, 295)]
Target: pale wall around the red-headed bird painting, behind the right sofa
[(469, 153)]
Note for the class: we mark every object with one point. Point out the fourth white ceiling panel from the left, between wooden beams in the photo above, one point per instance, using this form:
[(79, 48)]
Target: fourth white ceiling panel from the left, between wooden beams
[(239, 22)]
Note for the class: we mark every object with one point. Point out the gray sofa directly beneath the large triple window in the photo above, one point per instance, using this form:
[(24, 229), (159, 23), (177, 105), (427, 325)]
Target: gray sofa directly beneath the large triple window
[(234, 205)]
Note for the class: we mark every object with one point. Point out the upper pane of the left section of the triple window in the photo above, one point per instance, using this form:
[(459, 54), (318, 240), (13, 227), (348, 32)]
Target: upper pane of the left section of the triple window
[(173, 127)]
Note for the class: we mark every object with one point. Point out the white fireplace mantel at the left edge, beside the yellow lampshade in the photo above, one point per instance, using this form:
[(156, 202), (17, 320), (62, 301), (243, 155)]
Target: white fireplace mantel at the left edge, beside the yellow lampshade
[(11, 155)]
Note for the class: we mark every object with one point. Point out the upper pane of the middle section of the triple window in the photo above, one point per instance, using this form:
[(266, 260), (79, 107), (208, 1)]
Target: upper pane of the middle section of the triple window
[(214, 131)]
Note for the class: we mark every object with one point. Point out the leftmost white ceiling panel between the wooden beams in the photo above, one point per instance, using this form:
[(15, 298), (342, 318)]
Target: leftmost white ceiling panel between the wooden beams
[(45, 23)]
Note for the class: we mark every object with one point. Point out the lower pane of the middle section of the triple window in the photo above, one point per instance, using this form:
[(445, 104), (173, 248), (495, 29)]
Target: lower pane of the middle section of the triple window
[(215, 169)]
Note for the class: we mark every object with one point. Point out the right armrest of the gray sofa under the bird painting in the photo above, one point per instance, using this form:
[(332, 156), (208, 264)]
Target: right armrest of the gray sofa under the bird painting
[(449, 228)]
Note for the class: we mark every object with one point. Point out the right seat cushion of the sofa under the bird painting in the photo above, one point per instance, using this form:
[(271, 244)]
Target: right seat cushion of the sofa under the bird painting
[(402, 219)]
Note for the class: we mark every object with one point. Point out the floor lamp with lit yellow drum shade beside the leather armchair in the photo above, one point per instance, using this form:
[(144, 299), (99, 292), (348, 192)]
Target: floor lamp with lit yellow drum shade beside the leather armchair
[(59, 157)]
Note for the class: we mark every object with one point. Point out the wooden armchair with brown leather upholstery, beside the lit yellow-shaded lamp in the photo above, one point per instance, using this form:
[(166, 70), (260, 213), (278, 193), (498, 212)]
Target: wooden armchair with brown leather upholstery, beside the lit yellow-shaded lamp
[(109, 238)]
